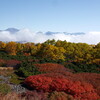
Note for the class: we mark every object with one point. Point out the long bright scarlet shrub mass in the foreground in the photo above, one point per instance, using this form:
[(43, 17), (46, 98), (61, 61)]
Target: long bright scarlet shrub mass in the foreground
[(76, 88)]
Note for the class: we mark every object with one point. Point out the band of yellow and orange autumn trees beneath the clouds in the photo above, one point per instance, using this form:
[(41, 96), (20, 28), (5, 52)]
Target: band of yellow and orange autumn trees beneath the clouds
[(54, 50)]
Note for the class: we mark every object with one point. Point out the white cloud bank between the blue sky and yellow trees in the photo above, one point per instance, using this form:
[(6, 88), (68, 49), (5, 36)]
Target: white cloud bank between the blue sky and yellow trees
[(39, 37)]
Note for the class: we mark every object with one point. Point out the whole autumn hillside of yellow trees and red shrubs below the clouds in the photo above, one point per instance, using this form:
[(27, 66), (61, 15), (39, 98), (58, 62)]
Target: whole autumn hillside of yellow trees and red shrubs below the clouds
[(53, 70)]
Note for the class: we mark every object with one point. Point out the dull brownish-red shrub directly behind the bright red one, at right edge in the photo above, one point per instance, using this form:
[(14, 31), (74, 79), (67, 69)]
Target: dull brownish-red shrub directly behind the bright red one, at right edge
[(91, 78)]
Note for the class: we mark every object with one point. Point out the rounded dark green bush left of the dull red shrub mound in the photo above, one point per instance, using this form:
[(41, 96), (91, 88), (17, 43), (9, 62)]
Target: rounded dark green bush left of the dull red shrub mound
[(27, 69)]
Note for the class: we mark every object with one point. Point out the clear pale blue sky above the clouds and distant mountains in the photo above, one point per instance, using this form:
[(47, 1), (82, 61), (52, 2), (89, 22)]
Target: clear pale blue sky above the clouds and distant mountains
[(51, 15)]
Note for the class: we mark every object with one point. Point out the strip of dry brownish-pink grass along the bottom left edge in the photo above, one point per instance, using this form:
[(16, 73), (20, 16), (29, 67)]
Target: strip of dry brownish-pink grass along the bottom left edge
[(26, 96)]
